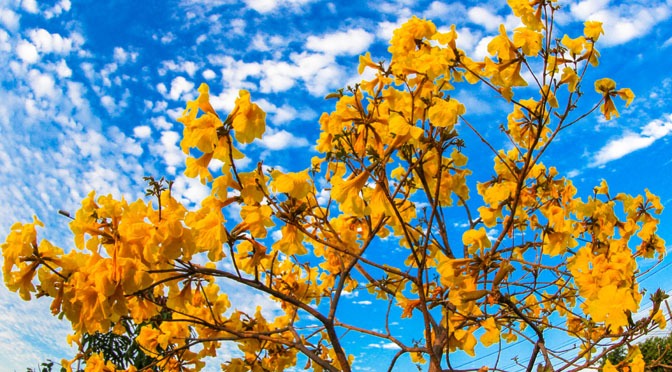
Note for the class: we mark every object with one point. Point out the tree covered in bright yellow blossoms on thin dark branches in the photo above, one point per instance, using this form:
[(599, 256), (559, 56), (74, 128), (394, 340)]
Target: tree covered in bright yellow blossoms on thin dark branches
[(393, 167)]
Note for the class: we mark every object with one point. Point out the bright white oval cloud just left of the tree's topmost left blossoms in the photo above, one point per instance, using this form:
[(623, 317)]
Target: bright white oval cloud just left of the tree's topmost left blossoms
[(350, 42)]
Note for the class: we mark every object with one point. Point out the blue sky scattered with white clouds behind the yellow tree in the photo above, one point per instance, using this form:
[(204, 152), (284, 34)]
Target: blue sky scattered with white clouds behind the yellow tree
[(90, 91)]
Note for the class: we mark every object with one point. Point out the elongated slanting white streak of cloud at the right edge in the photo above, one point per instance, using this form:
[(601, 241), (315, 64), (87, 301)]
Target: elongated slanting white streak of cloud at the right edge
[(630, 142)]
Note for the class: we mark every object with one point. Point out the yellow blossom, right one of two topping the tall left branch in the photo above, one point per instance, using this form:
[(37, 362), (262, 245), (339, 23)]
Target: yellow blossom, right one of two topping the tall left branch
[(249, 121)]
